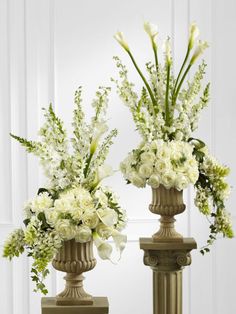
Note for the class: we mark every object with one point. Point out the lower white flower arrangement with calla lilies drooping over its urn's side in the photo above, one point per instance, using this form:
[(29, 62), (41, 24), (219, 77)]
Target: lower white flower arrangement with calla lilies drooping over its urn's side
[(73, 204)]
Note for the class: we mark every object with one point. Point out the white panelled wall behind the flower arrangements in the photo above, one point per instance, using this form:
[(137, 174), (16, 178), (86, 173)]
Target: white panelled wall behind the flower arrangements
[(47, 49)]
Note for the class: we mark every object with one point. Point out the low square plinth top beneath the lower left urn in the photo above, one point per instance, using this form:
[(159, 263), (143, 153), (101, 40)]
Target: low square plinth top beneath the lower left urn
[(100, 306)]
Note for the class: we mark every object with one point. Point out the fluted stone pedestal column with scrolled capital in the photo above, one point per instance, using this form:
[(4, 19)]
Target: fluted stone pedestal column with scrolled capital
[(167, 259)]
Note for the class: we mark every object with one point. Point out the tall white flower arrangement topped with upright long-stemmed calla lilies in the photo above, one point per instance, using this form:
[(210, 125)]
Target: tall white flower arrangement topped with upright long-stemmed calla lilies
[(166, 113)]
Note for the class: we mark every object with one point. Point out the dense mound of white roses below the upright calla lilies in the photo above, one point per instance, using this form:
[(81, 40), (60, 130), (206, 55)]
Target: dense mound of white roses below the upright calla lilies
[(171, 164)]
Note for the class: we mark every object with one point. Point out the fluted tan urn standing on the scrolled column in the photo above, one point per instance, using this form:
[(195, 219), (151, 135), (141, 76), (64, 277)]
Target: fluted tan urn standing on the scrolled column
[(167, 203)]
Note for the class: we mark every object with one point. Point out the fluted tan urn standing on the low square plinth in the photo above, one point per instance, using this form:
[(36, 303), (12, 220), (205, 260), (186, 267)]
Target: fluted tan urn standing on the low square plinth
[(74, 258)]
